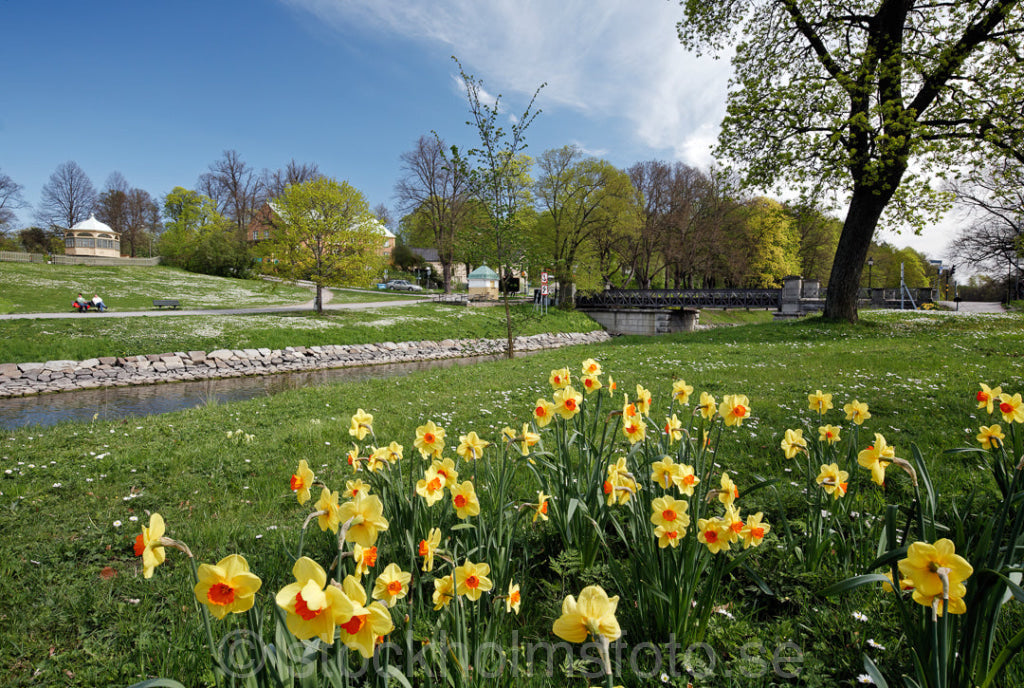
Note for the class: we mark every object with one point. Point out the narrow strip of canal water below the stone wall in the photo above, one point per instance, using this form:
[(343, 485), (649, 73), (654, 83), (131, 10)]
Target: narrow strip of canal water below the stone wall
[(116, 403)]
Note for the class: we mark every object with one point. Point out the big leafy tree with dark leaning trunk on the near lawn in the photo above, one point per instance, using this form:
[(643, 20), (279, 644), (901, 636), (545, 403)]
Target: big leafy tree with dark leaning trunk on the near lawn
[(848, 95)]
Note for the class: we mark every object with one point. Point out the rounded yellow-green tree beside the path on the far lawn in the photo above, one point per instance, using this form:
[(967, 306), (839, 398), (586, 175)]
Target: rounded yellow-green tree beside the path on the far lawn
[(324, 232)]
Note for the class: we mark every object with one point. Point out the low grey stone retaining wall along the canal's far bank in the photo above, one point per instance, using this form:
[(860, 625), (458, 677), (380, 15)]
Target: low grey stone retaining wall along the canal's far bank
[(62, 376)]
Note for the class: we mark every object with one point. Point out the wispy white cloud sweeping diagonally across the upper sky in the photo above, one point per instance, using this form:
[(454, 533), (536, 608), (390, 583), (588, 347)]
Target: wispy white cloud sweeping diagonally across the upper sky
[(607, 59)]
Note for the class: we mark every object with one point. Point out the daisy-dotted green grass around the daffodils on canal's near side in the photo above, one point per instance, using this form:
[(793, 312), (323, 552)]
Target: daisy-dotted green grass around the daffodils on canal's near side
[(77, 611)]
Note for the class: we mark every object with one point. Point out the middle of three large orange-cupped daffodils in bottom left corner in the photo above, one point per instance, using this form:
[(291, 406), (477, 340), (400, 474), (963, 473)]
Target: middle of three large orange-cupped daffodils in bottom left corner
[(310, 604)]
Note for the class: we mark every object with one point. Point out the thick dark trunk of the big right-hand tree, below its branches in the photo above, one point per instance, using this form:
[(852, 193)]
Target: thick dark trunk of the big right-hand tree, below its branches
[(855, 242)]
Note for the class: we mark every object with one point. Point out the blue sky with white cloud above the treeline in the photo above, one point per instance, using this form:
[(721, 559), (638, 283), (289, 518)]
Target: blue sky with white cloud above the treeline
[(159, 91)]
